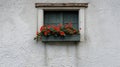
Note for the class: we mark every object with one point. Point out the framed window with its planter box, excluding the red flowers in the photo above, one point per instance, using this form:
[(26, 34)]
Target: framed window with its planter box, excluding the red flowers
[(48, 13)]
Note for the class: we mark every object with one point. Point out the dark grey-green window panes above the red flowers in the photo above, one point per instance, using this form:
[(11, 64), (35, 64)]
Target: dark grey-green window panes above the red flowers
[(63, 17)]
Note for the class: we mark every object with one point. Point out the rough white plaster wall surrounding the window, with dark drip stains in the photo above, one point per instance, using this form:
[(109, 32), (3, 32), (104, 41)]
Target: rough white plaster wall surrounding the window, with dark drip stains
[(18, 26)]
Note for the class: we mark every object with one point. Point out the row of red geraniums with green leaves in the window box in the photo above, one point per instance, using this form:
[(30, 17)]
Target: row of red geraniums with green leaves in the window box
[(59, 30)]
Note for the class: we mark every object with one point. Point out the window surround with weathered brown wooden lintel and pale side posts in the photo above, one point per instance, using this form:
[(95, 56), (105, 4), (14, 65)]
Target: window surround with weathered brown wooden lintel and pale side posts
[(63, 6)]
